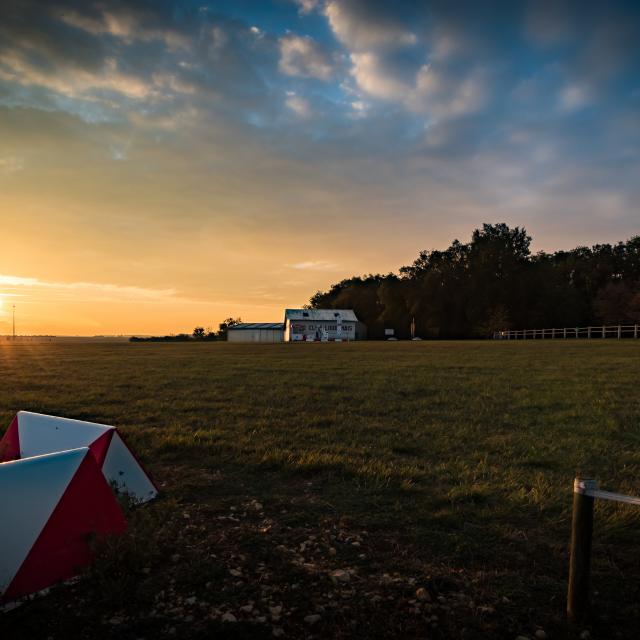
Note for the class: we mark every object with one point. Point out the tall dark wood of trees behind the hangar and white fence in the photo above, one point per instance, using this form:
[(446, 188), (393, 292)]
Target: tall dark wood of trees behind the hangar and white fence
[(494, 283)]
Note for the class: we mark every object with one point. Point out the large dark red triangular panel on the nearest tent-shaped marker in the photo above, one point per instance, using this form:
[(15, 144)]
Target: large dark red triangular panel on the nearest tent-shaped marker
[(86, 508)]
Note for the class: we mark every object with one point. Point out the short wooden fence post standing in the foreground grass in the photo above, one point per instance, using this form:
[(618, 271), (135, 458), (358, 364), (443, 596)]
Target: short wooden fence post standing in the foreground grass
[(580, 555)]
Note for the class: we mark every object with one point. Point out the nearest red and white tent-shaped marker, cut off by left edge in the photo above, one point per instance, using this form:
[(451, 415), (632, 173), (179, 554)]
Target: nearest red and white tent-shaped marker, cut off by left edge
[(51, 504)]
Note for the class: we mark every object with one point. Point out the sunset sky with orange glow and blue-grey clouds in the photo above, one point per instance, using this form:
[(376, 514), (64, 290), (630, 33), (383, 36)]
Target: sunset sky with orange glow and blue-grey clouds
[(168, 164)]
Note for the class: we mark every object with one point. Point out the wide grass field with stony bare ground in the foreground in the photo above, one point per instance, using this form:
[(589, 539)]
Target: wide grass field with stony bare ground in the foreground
[(442, 467)]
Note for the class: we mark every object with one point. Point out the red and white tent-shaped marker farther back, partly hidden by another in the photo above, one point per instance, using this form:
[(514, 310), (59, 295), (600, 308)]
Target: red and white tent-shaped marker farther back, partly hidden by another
[(34, 434)]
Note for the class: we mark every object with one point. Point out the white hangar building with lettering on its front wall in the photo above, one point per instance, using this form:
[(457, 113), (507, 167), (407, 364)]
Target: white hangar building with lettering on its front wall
[(322, 325)]
